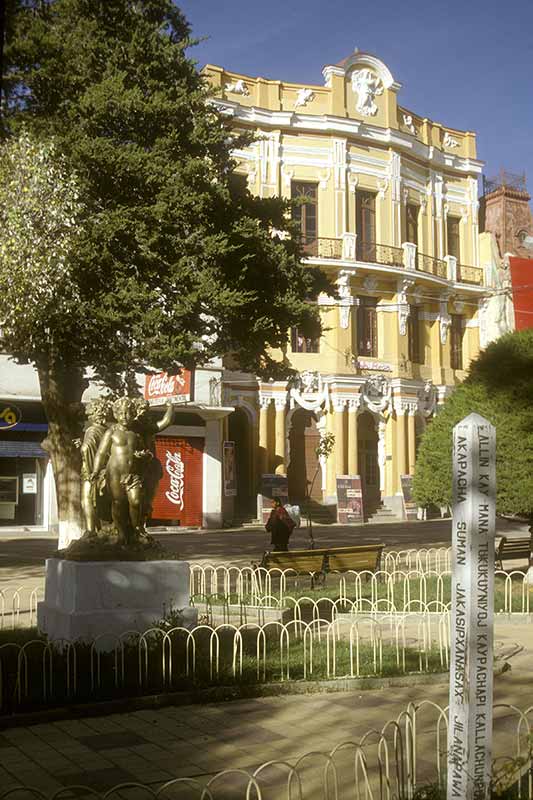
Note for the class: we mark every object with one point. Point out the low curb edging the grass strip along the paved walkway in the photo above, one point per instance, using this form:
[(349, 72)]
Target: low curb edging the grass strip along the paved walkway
[(221, 694)]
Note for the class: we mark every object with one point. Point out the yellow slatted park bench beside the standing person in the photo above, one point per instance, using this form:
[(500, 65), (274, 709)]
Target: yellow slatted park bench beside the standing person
[(319, 562)]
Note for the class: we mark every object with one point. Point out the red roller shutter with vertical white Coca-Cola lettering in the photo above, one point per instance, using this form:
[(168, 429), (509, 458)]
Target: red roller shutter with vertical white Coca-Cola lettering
[(179, 495)]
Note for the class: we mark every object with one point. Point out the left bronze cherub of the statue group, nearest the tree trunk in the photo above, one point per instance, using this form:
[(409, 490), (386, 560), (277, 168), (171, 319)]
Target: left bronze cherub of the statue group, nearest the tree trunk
[(99, 414)]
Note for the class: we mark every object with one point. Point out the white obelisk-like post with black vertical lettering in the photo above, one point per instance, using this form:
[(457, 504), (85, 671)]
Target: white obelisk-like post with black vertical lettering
[(472, 620)]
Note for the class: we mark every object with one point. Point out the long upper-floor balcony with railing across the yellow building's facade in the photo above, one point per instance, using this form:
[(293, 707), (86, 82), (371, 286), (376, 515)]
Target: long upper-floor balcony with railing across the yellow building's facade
[(349, 248)]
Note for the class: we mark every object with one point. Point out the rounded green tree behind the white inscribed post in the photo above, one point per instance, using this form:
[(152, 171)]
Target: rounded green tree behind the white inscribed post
[(500, 388)]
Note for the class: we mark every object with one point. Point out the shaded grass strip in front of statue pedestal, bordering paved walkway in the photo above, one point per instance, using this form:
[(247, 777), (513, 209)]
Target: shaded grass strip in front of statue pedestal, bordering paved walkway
[(57, 677)]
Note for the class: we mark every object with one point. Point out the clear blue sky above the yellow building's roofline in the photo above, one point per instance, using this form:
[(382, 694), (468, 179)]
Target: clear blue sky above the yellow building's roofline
[(466, 64)]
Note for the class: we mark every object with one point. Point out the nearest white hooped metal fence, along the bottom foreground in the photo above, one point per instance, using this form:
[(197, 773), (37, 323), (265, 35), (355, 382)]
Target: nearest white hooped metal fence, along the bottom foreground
[(390, 763)]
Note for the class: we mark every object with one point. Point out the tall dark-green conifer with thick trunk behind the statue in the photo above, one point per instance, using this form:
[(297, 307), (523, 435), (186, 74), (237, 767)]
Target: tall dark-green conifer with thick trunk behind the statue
[(166, 263)]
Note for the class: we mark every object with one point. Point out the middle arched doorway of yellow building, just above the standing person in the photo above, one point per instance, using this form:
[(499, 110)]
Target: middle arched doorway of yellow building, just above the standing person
[(304, 473)]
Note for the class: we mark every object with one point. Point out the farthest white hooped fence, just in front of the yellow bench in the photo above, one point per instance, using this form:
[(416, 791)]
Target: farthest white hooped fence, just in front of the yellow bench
[(236, 595)]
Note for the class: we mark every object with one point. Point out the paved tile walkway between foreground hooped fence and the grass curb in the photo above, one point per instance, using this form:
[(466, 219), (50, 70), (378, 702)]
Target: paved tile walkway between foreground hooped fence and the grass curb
[(153, 746)]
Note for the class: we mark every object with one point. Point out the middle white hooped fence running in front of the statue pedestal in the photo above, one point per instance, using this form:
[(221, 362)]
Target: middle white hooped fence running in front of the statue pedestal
[(38, 672)]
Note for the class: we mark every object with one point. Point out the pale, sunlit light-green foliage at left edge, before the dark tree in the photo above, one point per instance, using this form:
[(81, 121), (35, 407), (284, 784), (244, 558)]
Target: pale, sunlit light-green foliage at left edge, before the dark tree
[(40, 209)]
